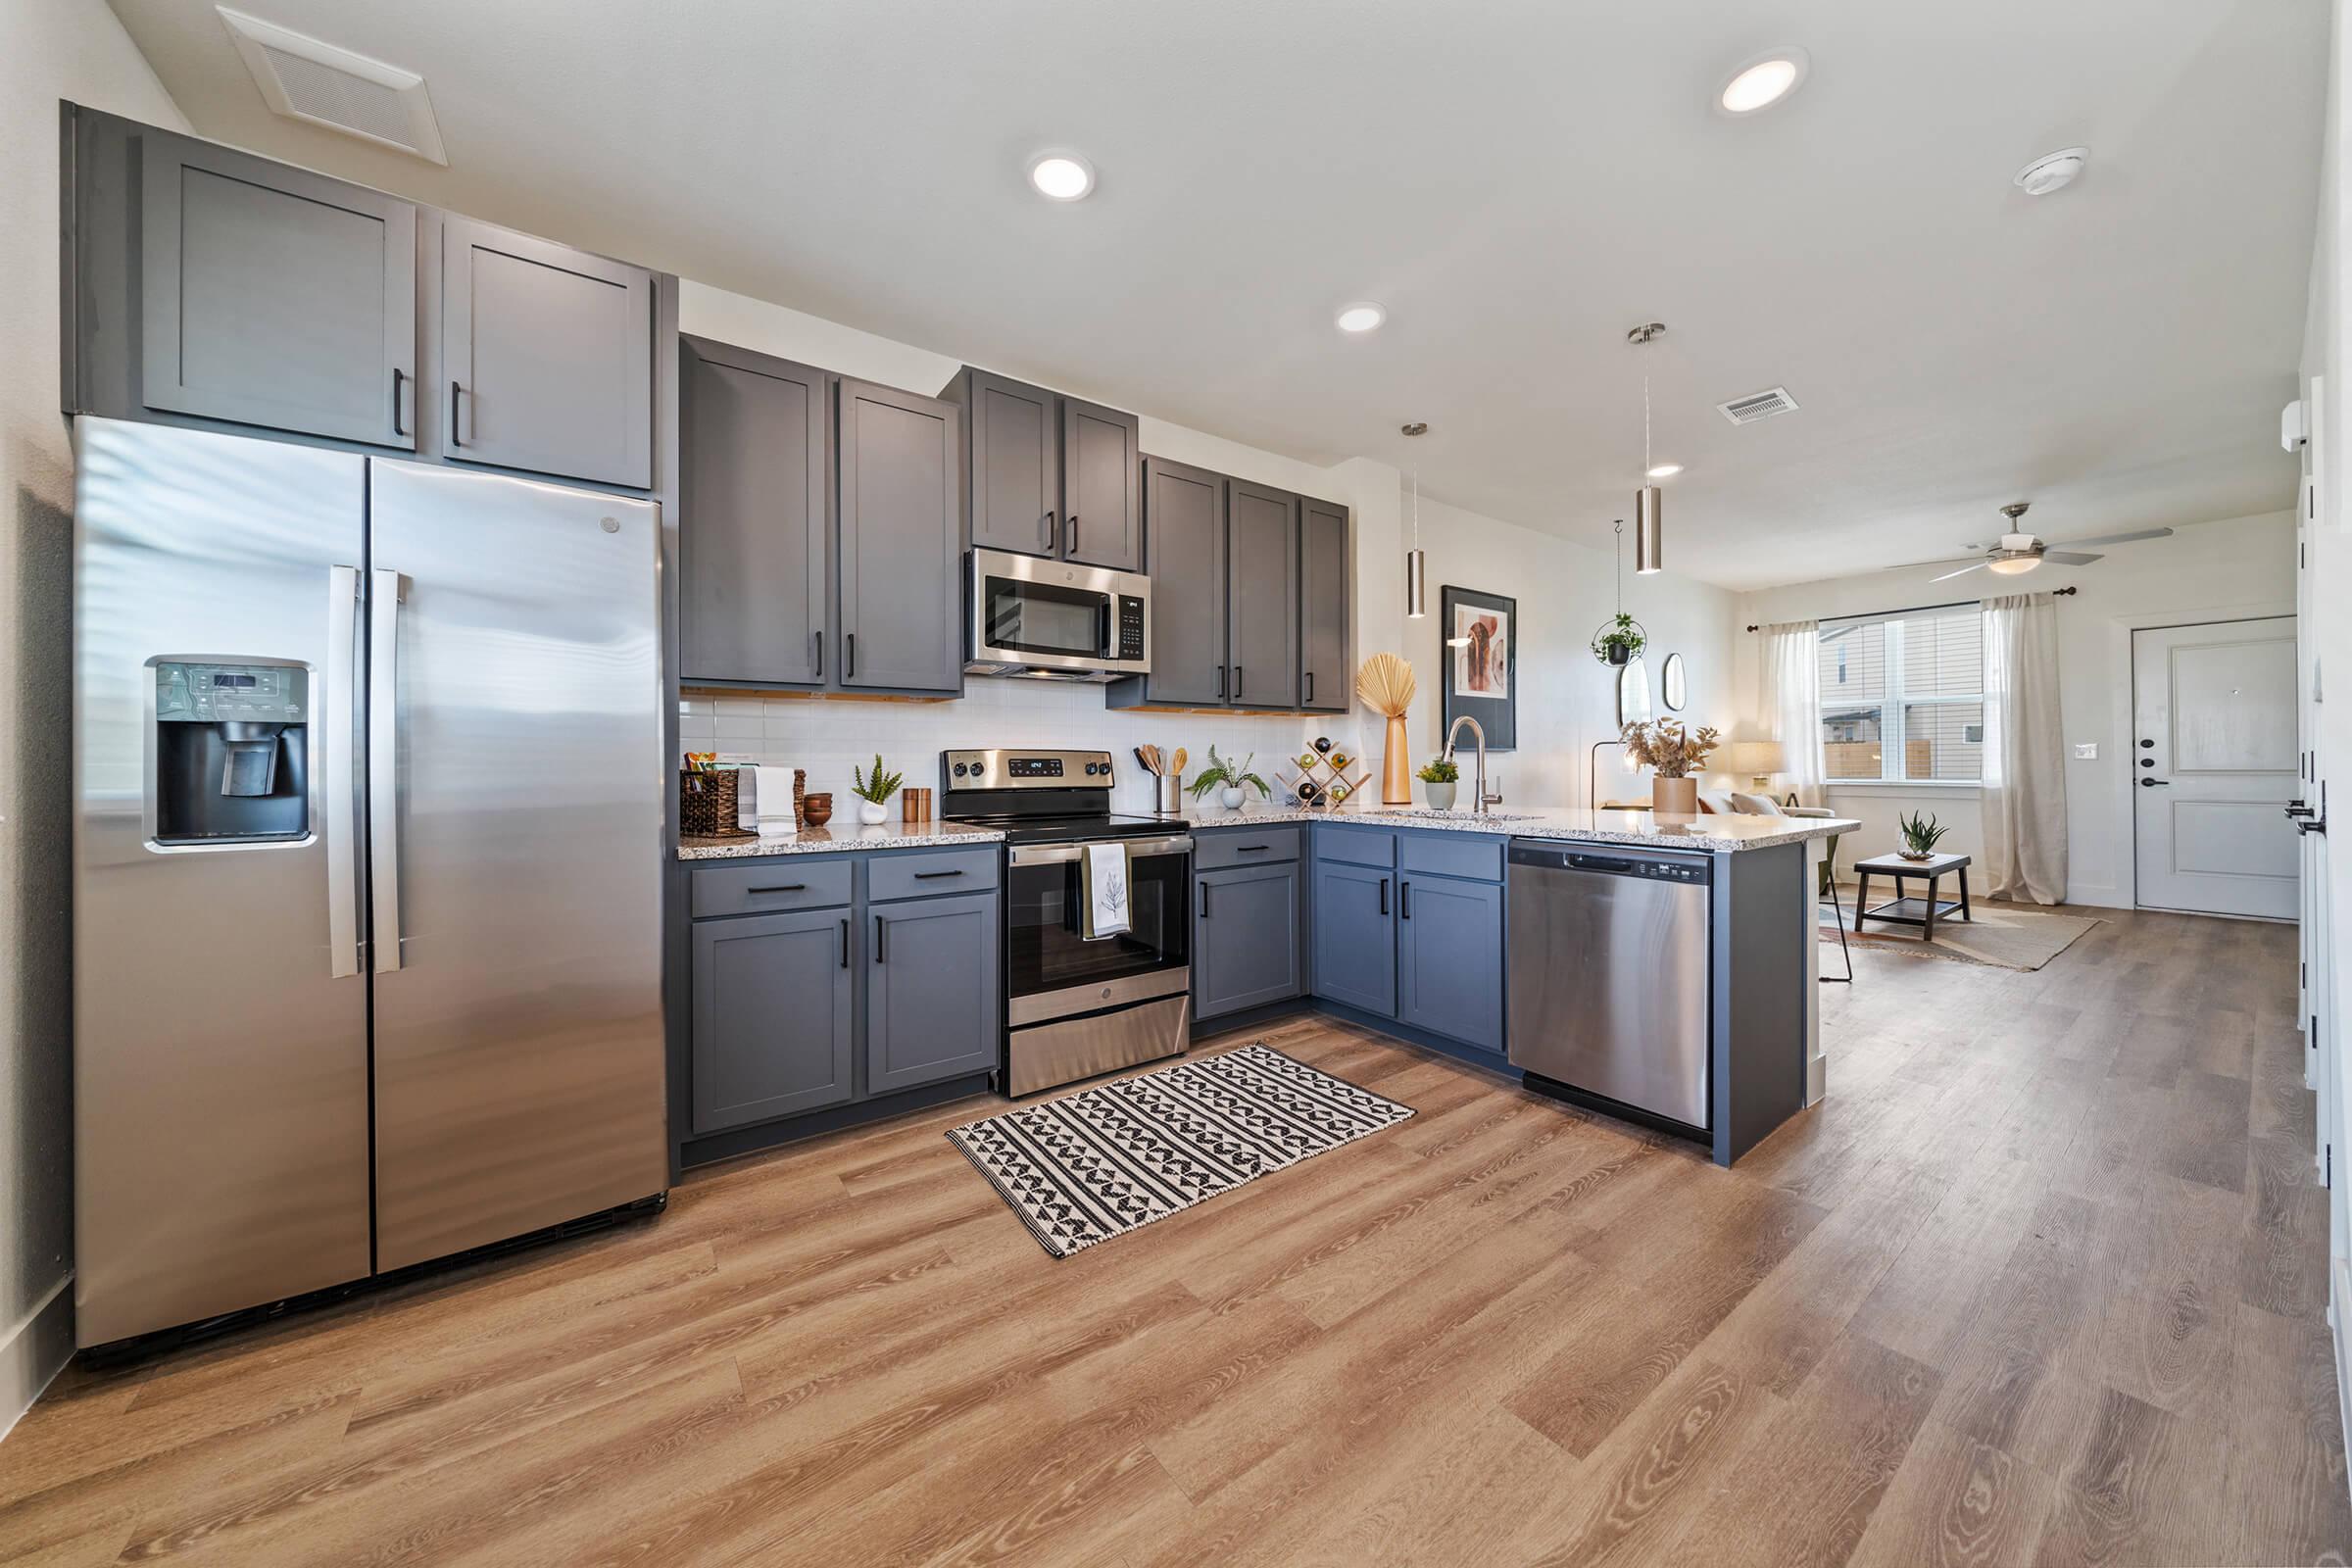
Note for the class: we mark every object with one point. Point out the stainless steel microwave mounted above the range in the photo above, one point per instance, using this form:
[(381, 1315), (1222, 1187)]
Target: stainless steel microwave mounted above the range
[(1057, 619)]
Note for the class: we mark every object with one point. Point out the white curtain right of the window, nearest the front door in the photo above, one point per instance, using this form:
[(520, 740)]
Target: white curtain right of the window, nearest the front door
[(2024, 751)]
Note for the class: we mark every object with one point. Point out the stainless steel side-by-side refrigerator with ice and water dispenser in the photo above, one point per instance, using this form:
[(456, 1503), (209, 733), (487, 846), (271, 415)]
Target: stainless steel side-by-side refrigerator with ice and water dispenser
[(368, 770)]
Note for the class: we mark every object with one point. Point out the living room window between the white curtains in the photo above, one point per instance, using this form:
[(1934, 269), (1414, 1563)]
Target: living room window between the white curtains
[(1904, 699)]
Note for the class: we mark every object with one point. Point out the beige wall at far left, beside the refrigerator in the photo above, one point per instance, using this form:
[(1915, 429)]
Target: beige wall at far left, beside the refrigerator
[(48, 51)]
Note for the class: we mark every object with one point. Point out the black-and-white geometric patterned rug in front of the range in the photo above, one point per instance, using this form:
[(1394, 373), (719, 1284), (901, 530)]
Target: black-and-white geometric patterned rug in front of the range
[(1107, 1160)]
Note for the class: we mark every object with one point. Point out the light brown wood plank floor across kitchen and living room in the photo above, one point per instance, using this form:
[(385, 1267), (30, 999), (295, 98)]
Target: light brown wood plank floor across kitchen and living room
[(2043, 1282)]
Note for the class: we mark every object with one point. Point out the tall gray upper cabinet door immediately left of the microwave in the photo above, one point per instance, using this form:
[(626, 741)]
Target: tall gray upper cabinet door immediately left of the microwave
[(900, 542)]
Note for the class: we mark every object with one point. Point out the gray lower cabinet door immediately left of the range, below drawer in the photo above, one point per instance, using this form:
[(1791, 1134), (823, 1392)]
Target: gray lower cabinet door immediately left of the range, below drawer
[(933, 991)]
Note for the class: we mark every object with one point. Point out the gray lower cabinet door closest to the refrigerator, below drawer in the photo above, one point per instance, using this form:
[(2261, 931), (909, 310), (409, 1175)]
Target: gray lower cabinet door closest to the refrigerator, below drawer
[(775, 1017)]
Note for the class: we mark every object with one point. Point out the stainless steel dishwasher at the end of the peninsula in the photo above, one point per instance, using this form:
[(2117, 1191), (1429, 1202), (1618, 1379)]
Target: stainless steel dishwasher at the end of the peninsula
[(1610, 979)]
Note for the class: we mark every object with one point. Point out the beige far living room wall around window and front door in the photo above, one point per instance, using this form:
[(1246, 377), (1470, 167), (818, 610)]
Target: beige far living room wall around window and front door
[(2210, 572)]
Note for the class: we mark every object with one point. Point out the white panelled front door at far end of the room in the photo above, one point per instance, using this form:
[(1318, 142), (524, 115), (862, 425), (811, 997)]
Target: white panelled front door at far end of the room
[(2214, 765)]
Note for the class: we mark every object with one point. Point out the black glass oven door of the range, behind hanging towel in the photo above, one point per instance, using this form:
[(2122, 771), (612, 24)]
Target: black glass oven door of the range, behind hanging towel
[(1053, 972)]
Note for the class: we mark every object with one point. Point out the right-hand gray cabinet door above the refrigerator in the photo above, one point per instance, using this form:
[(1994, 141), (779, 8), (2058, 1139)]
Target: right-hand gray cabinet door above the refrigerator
[(547, 359)]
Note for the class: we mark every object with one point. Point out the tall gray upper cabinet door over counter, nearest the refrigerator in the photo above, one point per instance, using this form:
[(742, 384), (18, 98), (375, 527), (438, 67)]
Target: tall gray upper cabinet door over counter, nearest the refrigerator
[(754, 516)]
